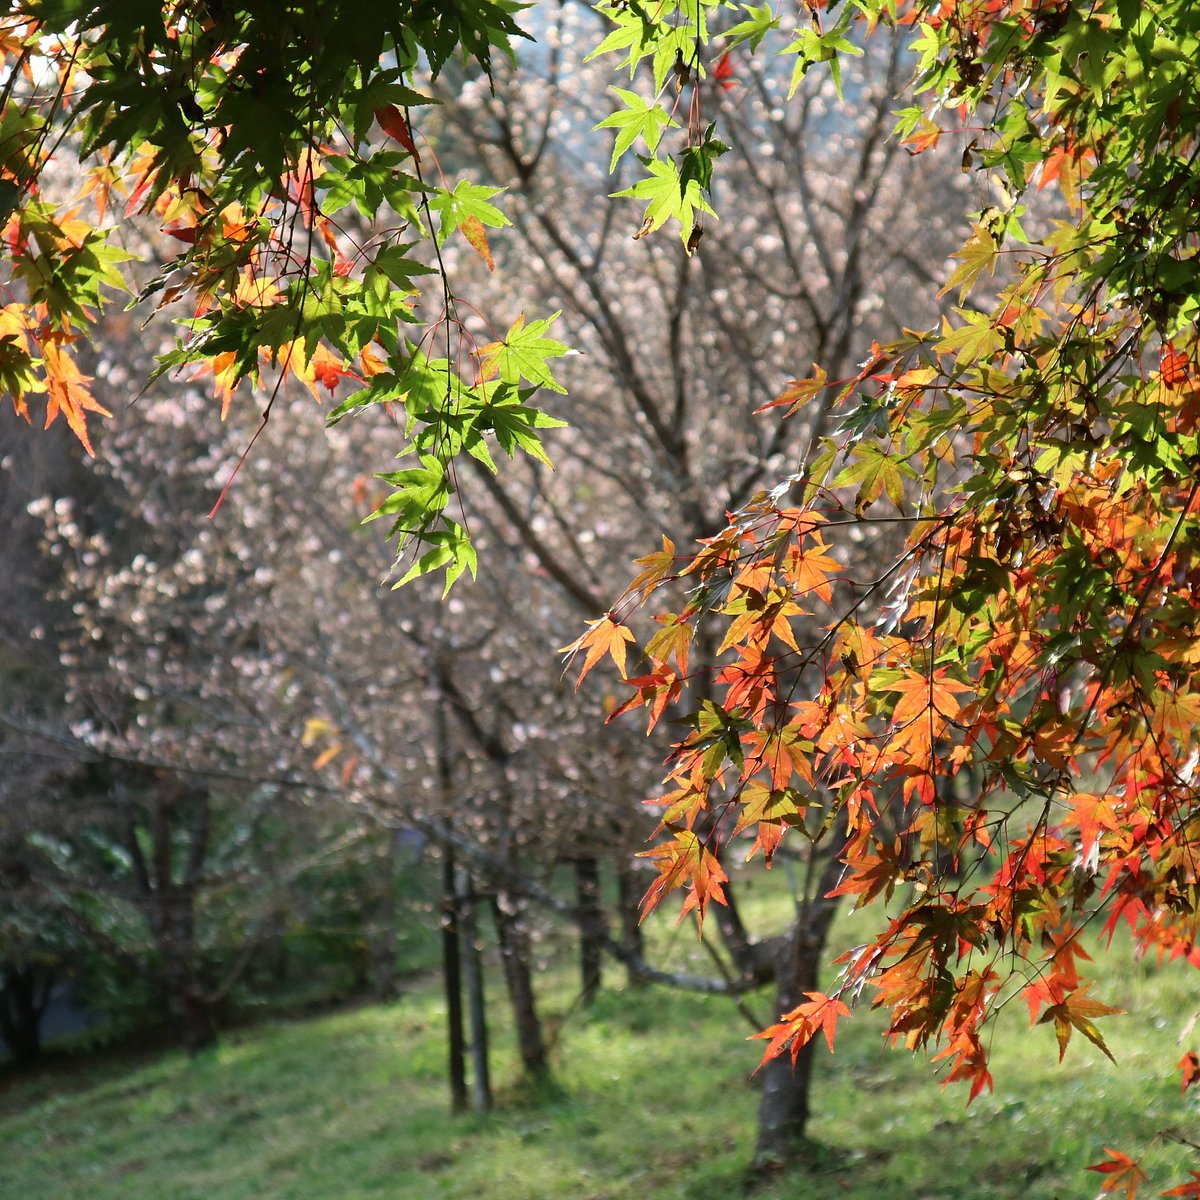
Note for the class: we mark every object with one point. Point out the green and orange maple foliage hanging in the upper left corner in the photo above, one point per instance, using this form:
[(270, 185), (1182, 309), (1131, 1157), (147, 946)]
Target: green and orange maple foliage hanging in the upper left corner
[(248, 135)]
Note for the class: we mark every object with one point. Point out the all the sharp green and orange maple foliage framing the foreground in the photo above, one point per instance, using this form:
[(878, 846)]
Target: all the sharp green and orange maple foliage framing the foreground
[(1021, 682)]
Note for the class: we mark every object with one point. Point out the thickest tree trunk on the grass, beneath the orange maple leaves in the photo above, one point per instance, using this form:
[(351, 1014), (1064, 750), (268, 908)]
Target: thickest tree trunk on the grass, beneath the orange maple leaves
[(784, 1108)]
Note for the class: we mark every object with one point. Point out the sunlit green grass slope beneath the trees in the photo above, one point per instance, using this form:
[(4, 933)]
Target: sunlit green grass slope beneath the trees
[(655, 1105)]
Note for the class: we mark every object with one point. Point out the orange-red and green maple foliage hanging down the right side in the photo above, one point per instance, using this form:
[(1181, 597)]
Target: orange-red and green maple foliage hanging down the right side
[(1006, 717)]
